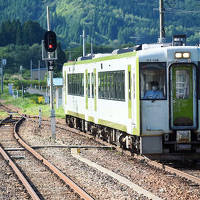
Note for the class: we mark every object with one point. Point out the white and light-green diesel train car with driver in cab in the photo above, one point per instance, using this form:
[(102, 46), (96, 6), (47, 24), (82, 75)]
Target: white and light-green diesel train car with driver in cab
[(145, 100)]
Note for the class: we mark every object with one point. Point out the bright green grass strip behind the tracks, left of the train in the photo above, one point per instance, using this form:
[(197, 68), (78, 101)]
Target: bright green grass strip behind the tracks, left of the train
[(28, 105)]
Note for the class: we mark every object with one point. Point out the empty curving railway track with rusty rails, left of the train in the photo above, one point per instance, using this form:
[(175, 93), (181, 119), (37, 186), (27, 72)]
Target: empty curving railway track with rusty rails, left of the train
[(34, 192)]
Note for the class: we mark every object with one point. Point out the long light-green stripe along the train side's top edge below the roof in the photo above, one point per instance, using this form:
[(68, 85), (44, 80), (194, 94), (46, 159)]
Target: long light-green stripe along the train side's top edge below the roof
[(112, 57)]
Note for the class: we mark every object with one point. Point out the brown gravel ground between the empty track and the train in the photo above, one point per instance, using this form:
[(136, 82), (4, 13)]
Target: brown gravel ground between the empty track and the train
[(99, 185)]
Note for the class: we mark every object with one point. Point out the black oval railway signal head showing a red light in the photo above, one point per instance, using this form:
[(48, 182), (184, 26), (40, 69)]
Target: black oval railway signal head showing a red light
[(50, 42)]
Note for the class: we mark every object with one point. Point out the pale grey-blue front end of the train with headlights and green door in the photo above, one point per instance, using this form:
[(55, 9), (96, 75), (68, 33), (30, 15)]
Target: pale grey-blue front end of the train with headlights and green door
[(169, 88)]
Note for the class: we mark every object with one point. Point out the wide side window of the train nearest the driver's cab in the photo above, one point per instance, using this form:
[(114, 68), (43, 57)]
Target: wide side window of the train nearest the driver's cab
[(111, 85)]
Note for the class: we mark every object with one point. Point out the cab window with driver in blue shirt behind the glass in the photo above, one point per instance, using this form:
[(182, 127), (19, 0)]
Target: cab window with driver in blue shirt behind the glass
[(153, 81)]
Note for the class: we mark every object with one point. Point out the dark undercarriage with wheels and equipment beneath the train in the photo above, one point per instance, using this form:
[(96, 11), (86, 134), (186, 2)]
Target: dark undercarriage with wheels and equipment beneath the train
[(132, 143)]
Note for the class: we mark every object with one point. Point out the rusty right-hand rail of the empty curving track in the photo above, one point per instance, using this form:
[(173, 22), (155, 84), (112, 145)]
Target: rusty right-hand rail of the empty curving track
[(54, 169)]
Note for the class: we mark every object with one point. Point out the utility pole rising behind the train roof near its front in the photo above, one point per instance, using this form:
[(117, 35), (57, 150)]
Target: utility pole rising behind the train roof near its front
[(162, 29)]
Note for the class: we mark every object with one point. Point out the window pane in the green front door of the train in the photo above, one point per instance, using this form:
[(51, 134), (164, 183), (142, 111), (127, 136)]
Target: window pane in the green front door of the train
[(182, 84)]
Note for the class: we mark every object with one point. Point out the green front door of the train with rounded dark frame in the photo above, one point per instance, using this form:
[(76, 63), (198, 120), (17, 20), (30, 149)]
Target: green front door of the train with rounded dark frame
[(183, 96)]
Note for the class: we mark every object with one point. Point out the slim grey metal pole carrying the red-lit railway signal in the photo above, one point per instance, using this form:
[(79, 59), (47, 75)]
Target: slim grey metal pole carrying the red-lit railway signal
[(53, 124)]
